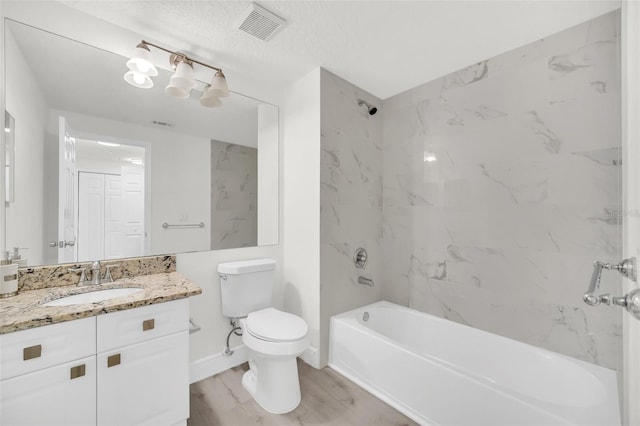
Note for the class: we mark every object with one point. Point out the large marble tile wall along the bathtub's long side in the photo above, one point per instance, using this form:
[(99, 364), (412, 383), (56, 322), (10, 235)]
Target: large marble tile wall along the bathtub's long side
[(500, 232)]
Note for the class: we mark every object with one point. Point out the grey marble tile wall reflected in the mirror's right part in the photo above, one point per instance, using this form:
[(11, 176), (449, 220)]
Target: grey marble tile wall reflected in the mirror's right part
[(234, 195)]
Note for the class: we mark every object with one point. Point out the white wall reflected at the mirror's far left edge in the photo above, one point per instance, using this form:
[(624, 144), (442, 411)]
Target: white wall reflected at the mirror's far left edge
[(26, 102)]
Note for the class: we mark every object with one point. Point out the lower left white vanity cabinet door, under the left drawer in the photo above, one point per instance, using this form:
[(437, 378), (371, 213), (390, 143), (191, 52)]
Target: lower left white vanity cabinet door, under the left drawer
[(61, 395)]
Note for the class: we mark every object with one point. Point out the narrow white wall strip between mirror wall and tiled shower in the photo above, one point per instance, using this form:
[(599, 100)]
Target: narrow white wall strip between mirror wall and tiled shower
[(302, 205)]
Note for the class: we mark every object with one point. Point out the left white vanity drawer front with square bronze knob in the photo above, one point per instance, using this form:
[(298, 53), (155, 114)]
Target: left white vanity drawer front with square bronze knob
[(25, 351)]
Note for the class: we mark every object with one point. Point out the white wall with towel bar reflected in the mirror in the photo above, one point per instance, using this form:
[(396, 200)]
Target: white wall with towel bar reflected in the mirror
[(179, 178)]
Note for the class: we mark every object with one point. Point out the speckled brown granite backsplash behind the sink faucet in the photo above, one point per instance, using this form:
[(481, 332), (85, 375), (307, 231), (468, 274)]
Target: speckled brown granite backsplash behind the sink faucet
[(40, 277)]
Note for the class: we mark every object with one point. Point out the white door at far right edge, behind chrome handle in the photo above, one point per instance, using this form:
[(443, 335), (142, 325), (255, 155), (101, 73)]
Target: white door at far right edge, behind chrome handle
[(631, 201)]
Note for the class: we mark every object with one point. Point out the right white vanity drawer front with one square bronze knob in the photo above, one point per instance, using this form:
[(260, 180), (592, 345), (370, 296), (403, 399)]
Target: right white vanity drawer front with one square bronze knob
[(141, 324)]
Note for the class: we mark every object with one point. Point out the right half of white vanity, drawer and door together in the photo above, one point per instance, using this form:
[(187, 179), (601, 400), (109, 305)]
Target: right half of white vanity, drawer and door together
[(143, 365)]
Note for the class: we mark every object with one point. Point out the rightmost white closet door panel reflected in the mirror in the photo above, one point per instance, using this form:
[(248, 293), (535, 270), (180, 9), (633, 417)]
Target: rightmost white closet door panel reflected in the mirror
[(133, 215)]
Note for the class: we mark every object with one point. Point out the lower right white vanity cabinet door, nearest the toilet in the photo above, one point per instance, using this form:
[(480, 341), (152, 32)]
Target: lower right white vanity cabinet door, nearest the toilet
[(146, 383)]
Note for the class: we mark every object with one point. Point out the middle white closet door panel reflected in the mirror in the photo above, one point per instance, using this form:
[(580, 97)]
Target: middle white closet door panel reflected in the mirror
[(113, 227)]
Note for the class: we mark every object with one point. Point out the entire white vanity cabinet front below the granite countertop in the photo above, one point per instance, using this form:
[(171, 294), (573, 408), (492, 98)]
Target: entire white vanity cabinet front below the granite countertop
[(129, 367)]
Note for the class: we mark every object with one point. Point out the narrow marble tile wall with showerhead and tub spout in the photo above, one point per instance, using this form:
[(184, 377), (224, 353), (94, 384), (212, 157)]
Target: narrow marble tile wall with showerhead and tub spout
[(350, 199)]
